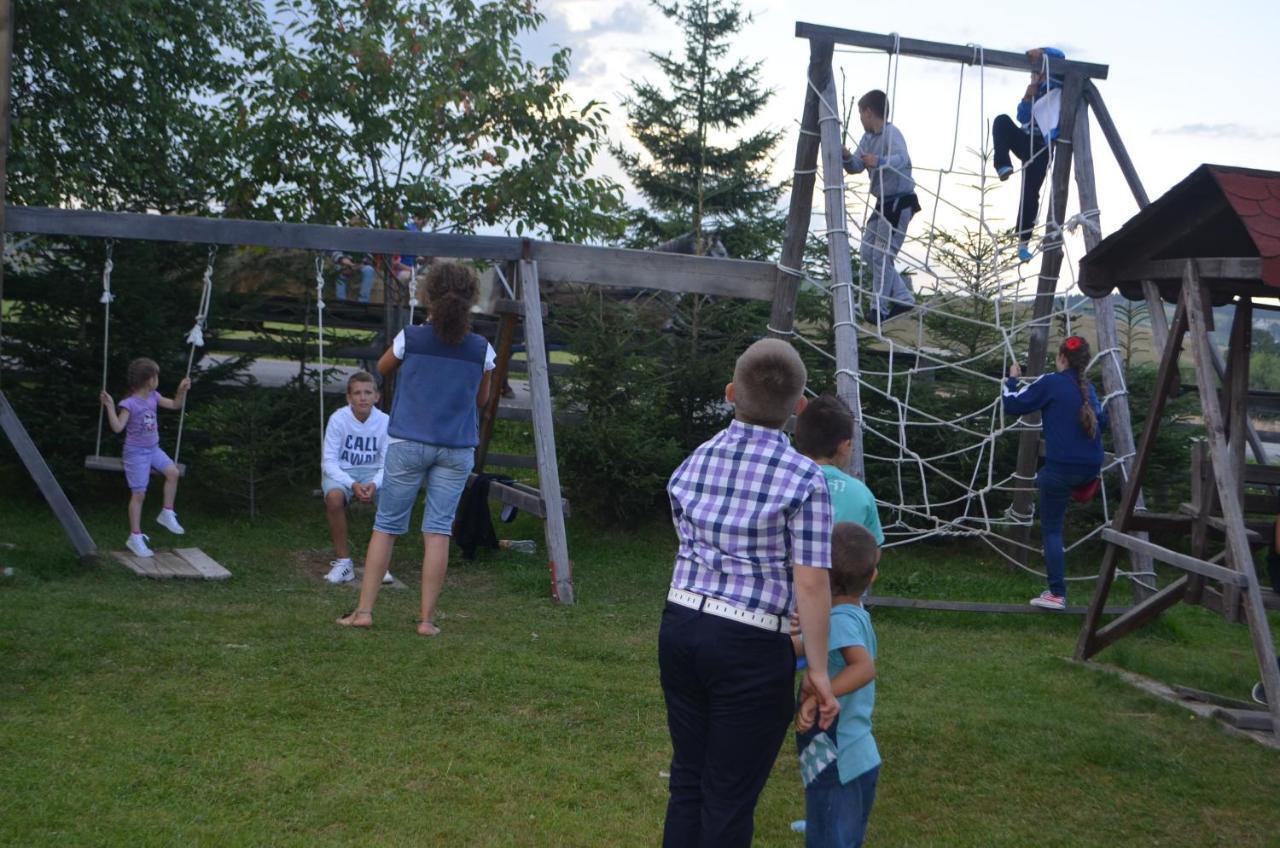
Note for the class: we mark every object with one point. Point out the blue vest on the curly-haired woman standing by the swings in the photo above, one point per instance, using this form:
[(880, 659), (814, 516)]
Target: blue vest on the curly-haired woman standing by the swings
[(436, 395)]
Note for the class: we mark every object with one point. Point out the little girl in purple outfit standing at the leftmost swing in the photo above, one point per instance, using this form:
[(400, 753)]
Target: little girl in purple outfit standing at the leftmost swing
[(143, 452)]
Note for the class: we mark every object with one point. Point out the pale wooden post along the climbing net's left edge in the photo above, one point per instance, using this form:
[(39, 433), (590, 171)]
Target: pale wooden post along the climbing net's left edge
[(842, 268)]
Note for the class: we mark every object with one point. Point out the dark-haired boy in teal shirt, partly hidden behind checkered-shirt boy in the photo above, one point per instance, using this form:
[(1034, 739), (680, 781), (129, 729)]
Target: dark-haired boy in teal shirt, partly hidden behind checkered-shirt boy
[(825, 435)]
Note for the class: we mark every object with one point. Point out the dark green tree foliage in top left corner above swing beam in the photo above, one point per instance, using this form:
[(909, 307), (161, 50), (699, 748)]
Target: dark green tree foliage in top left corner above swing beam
[(125, 106)]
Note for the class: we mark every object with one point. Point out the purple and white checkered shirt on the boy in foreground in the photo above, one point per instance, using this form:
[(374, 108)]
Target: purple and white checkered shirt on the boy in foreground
[(747, 508)]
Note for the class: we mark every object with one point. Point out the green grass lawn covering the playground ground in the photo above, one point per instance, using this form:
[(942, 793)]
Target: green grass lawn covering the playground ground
[(145, 713)]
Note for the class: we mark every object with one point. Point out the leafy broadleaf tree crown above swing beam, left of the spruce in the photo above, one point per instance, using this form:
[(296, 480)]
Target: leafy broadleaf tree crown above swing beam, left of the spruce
[(377, 108)]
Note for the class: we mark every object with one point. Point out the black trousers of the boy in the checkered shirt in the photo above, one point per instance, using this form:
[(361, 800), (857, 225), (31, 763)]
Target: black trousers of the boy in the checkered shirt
[(730, 701)]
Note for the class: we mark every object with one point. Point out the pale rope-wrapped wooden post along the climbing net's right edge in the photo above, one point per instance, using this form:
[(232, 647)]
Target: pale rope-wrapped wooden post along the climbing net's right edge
[(1113, 379)]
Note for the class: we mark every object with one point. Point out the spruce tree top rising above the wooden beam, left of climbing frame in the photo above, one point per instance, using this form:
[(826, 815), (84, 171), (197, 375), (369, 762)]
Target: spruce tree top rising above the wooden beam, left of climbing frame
[(697, 174)]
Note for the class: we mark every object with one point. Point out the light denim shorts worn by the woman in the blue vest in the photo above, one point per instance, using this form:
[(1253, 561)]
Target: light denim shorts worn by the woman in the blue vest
[(409, 466)]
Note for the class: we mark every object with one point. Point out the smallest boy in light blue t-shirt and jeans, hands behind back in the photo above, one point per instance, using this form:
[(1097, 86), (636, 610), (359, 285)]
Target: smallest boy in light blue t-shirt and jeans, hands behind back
[(842, 765)]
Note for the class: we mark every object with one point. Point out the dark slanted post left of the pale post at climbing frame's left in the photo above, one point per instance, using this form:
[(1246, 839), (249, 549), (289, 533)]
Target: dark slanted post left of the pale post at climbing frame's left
[(783, 317)]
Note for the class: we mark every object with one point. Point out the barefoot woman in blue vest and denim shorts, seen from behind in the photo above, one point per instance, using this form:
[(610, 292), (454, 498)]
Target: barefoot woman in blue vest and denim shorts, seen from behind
[(432, 435)]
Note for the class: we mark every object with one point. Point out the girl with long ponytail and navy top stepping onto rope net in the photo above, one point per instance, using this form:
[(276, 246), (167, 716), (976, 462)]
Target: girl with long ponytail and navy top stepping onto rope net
[(1073, 421)]
